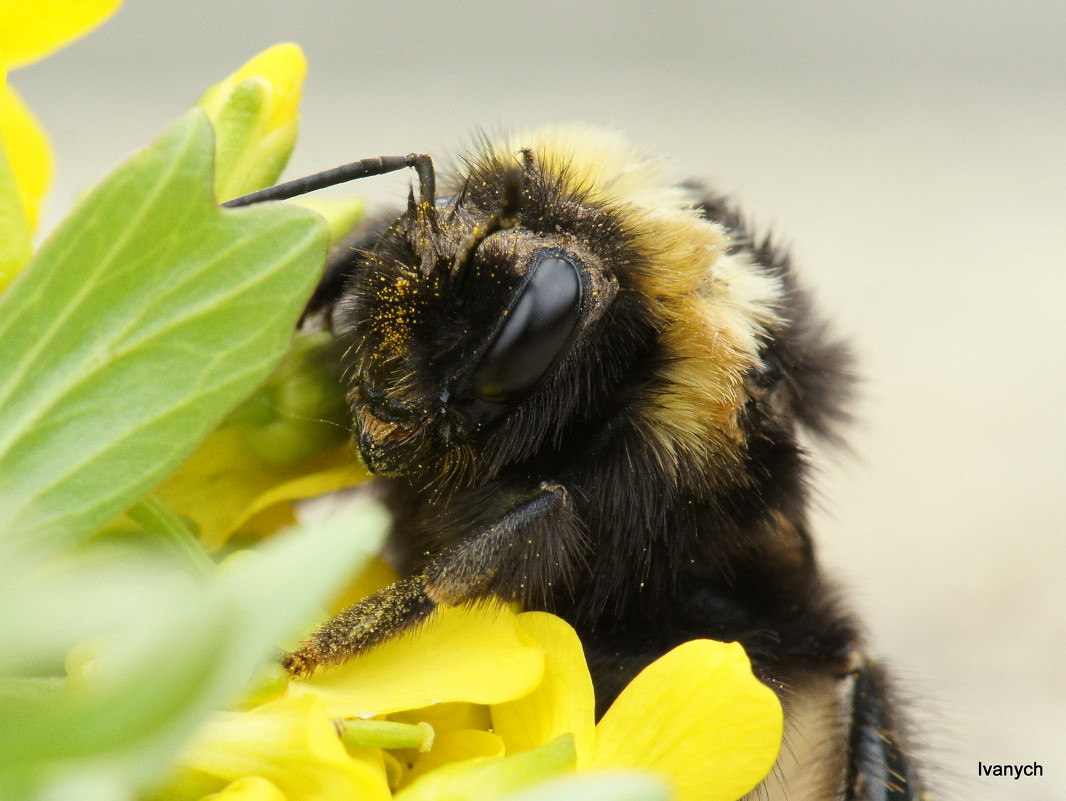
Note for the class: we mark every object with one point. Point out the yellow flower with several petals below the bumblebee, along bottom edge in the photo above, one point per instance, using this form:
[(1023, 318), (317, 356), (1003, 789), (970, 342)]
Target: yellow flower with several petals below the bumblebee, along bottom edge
[(482, 702)]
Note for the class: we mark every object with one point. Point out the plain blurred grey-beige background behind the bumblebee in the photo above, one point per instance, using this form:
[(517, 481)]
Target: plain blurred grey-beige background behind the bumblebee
[(914, 157)]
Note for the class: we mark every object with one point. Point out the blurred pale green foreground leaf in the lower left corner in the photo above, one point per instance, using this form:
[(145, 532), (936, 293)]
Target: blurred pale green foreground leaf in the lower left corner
[(164, 652)]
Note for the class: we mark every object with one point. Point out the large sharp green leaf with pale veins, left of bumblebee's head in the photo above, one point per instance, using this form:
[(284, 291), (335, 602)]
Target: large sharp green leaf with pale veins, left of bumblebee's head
[(147, 317)]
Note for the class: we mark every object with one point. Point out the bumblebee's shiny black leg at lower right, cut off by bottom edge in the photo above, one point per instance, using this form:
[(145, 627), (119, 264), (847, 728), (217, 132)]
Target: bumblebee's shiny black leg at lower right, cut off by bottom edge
[(879, 764)]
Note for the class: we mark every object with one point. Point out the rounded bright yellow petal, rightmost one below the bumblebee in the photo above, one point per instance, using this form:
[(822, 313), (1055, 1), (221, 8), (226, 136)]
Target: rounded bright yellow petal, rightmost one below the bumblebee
[(699, 717)]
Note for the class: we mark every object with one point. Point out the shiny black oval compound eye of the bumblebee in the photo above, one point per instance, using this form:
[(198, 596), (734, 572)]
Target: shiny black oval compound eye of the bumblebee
[(538, 328)]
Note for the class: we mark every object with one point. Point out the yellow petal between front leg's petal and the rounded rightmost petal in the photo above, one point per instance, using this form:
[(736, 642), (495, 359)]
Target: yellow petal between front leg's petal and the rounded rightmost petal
[(564, 701)]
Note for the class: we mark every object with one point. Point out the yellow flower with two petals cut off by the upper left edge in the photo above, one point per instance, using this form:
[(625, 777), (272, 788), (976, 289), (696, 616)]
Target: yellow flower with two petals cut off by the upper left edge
[(29, 31)]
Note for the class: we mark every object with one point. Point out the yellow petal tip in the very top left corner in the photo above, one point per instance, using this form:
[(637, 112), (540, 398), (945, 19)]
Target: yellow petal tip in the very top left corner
[(33, 30)]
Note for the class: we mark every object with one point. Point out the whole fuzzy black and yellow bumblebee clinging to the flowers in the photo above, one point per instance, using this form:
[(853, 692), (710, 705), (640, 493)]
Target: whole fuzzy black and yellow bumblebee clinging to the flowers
[(585, 388)]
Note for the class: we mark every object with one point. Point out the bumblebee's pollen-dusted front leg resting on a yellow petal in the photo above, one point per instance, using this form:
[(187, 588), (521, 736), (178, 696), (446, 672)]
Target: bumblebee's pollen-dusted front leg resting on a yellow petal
[(523, 555)]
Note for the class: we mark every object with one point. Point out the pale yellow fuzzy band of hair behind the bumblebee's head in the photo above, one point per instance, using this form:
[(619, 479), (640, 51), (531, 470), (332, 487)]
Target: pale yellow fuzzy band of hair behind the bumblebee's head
[(714, 308)]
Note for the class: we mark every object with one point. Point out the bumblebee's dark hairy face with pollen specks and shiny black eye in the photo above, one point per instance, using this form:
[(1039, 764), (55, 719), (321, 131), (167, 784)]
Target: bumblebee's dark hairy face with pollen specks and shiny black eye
[(467, 321)]
